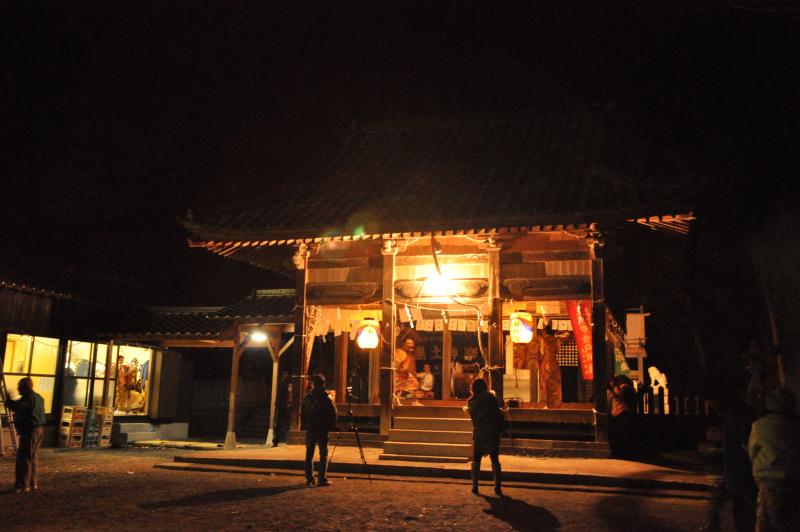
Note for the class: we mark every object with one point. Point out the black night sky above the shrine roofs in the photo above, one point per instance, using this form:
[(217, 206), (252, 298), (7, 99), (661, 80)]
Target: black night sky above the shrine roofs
[(122, 116)]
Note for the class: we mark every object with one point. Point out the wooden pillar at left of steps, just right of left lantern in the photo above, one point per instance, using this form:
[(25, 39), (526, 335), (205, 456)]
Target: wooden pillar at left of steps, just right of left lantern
[(389, 252)]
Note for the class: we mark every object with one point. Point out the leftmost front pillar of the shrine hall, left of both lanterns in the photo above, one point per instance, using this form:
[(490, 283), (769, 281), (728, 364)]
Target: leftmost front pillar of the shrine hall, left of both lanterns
[(298, 353)]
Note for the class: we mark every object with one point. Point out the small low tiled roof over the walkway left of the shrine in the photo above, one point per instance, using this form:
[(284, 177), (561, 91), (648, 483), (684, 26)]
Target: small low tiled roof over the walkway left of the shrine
[(266, 306)]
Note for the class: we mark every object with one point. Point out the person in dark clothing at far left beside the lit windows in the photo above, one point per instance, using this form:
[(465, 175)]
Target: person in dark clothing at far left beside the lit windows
[(29, 419)]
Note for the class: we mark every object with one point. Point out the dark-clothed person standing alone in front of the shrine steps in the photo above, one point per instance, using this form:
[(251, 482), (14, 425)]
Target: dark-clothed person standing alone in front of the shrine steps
[(487, 425)]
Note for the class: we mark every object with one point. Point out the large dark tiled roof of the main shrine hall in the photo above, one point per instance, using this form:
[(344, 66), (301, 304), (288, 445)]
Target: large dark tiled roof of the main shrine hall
[(472, 173)]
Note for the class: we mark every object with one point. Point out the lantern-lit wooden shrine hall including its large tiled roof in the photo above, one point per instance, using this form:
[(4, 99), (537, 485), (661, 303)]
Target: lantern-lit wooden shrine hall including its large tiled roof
[(445, 228)]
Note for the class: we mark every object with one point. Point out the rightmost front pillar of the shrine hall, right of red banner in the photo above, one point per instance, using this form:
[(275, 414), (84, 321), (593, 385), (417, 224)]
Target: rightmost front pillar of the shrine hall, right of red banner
[(600, 357)]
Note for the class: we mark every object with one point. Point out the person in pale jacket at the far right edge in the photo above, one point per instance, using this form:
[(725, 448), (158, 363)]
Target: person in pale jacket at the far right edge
[(774, 448)]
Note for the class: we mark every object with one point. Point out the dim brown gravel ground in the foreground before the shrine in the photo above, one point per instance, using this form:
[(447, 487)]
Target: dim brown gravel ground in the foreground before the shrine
[(120, 489)]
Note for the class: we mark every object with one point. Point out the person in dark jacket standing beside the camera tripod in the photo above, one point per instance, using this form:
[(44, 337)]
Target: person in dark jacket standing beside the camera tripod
[(319, 417)]
